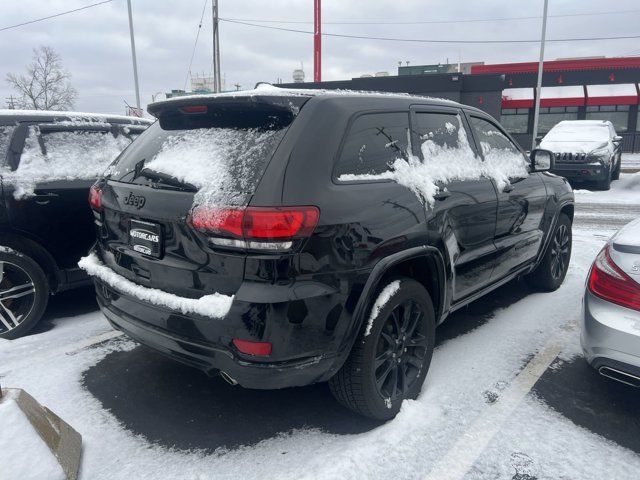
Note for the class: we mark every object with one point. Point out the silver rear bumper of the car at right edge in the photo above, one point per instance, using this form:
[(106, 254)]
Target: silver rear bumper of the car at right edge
[(610, 335)]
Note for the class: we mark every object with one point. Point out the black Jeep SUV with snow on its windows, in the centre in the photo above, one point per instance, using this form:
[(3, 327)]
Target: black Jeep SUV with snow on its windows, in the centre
[(282, 238)]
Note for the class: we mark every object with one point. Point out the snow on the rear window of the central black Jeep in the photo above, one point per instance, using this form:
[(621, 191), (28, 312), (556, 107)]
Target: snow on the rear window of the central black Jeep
[(222, 163)]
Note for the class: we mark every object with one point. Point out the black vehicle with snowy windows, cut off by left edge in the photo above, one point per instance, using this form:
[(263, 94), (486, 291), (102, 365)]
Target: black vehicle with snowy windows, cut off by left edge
[(48, 161)]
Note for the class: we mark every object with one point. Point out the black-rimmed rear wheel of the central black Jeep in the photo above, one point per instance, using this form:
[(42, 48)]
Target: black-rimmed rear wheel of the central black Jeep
[(361, 387)]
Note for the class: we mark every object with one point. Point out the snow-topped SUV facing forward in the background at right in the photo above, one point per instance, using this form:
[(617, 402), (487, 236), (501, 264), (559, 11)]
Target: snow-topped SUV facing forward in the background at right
[(585, 150)]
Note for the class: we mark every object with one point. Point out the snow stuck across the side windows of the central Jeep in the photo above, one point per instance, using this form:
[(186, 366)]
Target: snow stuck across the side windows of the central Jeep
[(445, 163)]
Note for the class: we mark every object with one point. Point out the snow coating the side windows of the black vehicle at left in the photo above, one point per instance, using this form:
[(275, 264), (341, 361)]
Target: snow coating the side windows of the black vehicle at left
[(69, 156)]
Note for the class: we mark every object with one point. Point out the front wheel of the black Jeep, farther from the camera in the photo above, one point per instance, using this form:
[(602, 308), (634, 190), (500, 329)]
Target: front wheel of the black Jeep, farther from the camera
[(550, 273)]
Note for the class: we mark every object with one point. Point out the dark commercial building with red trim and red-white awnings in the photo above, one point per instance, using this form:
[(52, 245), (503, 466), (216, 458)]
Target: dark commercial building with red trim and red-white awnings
[(572, 89)]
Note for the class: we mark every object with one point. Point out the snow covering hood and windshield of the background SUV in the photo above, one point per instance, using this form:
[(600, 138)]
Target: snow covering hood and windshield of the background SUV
[(577, 137)]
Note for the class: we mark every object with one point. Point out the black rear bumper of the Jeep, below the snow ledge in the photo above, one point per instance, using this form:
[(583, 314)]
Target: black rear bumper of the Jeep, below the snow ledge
[(206, 343)]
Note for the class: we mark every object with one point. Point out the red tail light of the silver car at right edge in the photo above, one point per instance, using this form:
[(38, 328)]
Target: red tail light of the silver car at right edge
[(609, 282)]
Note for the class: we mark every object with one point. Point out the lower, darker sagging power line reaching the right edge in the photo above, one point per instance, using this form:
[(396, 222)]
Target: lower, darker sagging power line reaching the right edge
[(422, 40)]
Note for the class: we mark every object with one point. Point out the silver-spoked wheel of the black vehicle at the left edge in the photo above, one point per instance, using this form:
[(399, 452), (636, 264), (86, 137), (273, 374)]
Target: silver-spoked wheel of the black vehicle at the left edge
[(24, 293)]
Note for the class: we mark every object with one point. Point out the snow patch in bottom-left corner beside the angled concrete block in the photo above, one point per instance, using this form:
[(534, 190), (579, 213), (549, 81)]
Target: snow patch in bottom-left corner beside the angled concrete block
[(23, 454)]
